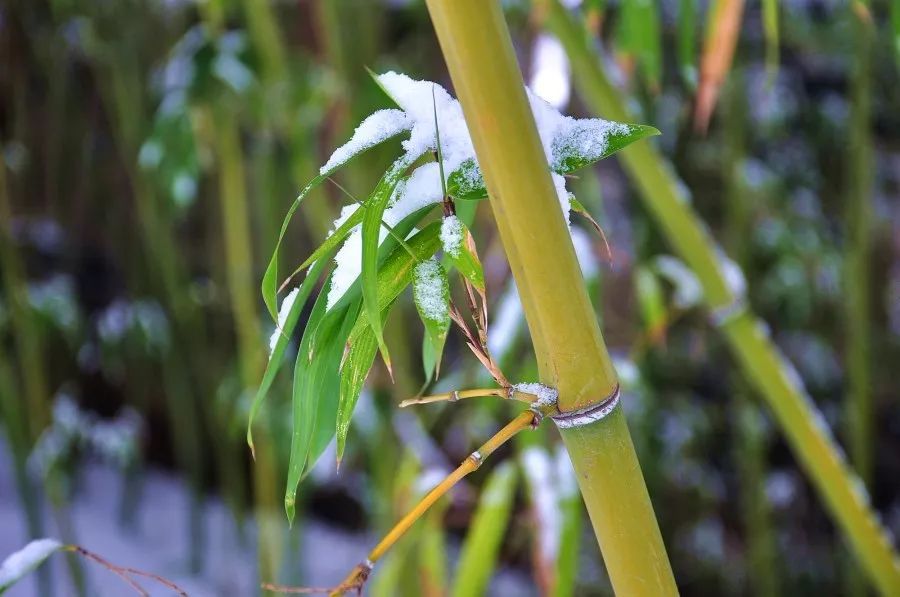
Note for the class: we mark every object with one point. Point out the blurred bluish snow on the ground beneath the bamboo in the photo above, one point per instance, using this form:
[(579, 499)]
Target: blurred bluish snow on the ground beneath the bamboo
[(159, 544)]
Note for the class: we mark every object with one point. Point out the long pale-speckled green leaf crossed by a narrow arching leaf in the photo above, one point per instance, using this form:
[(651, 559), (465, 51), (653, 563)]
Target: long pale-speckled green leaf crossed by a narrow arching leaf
[(393, 277)]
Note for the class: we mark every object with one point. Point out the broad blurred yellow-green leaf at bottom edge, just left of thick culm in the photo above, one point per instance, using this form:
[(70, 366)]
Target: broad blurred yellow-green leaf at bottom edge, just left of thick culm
[(482, 544)]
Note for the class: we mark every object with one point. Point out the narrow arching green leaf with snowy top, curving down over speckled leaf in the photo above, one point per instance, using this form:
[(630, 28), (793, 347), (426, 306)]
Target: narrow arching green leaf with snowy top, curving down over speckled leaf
[(371, 229)]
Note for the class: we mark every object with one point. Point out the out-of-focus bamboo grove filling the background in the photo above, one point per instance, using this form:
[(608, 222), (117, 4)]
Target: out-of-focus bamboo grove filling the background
[(149, 150)]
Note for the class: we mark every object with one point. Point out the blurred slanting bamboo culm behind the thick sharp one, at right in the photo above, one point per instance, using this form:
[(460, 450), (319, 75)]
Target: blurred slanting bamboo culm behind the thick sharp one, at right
[(766, 369)]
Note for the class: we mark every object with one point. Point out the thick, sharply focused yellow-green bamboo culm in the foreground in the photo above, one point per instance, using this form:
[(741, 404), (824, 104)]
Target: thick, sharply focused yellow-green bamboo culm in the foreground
[(570, 351)]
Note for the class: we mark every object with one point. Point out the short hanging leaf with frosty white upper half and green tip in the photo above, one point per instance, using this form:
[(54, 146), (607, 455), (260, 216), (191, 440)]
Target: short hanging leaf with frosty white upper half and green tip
[(431, 294)]
